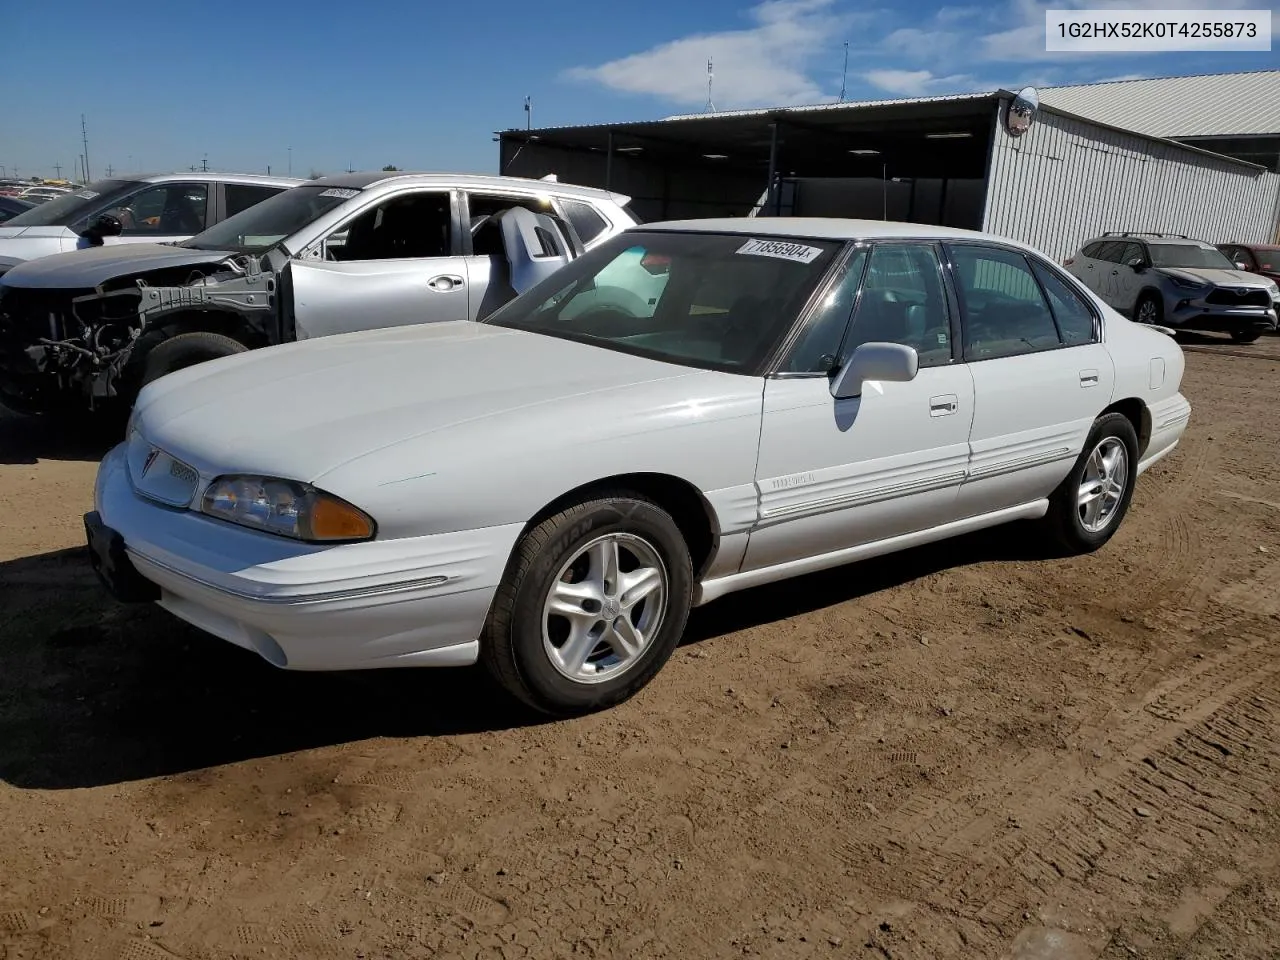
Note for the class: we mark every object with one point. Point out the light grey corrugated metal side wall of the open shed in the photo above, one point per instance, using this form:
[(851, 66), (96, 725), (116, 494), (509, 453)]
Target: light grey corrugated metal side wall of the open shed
[(1067, 181)]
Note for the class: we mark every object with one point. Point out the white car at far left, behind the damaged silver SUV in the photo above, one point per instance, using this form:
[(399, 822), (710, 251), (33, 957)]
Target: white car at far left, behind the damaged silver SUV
[(156, 208)]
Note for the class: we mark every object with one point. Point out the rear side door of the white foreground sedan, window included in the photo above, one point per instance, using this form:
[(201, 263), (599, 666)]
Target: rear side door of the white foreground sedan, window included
[(1041, 374)]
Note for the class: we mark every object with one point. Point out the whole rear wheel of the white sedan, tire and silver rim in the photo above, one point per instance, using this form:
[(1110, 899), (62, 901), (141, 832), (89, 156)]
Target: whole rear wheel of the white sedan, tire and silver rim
[(1087, 508)]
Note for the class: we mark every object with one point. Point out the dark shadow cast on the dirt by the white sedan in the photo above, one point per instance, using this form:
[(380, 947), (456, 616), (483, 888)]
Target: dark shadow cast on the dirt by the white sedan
[(95, 693)]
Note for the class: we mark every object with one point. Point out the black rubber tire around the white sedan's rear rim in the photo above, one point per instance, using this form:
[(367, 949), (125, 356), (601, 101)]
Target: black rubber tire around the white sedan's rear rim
[(1067, 518)]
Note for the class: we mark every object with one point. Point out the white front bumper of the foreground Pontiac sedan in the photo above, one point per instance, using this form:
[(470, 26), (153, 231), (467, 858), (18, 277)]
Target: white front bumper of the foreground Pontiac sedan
[(385, 604)]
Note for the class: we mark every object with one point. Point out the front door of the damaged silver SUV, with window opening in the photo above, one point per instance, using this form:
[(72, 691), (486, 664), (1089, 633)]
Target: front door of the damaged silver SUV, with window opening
[(395, 262)]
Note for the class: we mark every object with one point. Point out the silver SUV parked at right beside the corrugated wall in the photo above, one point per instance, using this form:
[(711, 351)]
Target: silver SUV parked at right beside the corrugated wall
[(1178, 282)]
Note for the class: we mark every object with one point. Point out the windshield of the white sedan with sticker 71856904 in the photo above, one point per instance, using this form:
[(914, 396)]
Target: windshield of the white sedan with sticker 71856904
[(708, 300)]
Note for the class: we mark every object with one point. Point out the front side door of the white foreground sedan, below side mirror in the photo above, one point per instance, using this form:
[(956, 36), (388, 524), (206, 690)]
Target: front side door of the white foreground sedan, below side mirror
[(834, 474)]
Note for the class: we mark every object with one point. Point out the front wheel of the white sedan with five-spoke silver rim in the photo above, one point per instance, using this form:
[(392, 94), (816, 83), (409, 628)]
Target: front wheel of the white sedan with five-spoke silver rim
[(532, 652)]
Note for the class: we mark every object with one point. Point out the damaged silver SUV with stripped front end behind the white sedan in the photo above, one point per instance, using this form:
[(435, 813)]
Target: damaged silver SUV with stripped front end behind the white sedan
[(335, 255)]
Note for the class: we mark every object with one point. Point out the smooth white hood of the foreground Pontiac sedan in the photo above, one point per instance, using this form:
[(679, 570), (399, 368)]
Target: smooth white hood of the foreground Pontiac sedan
[(300, 410)]
